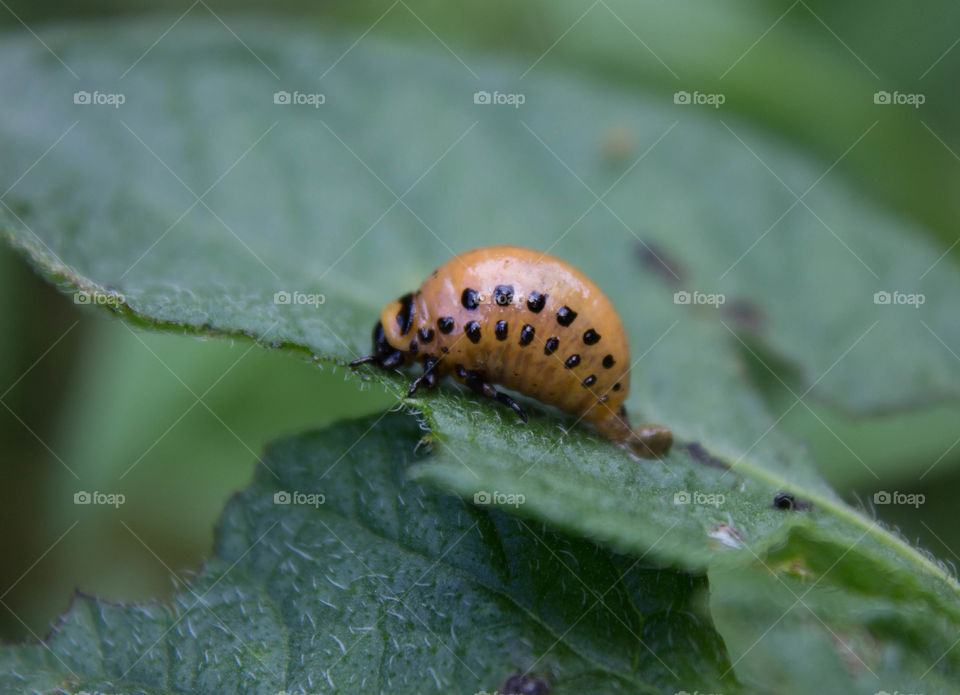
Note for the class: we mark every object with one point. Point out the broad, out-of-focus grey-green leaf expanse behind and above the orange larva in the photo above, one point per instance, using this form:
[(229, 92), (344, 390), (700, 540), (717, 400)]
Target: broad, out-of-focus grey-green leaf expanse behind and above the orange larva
[(305, 199)]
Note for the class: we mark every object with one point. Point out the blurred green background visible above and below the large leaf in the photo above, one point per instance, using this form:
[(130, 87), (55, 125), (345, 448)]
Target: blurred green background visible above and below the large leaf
[(84, 390)]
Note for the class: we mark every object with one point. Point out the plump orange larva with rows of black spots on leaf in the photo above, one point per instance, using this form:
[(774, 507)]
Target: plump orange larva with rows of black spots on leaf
[(524, 320)]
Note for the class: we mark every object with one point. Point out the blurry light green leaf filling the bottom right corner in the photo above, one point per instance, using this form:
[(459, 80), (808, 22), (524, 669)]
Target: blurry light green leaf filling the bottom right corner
[(817, 639)]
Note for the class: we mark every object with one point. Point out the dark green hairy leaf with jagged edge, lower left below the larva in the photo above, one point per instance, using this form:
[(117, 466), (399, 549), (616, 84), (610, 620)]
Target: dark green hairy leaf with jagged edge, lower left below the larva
[(384, 587)]
